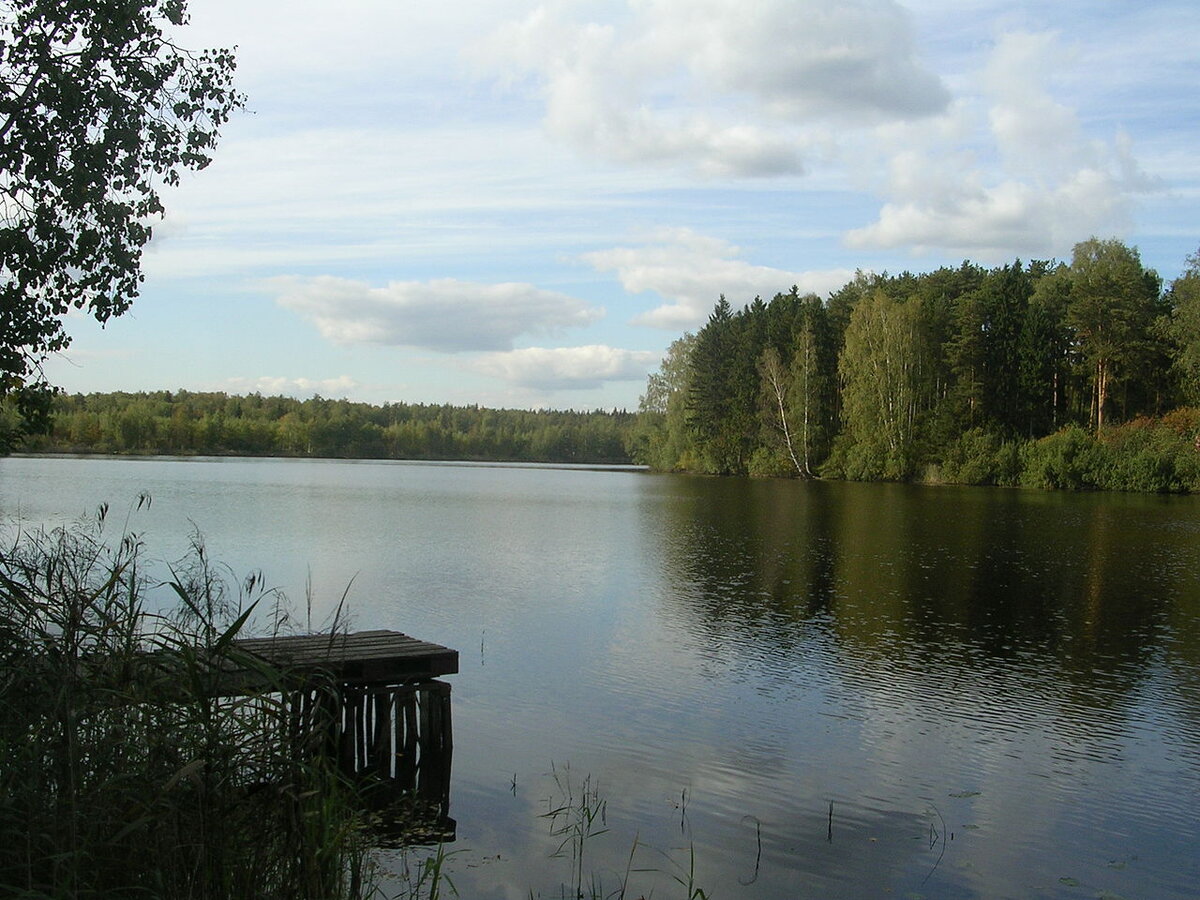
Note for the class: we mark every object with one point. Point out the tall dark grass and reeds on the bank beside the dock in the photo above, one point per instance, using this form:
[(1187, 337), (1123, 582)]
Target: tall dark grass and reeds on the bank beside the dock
[(127, 771)]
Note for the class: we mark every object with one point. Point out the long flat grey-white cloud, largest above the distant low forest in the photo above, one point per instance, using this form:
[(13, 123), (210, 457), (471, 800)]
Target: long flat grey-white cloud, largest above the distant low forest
[(445, 315)]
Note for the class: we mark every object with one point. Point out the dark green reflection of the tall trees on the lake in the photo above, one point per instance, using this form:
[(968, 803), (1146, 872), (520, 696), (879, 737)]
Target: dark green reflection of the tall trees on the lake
[(1087, 586)]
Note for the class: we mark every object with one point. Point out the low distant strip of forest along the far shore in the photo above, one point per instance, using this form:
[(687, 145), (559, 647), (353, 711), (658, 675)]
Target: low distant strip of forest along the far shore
[(184, 423)]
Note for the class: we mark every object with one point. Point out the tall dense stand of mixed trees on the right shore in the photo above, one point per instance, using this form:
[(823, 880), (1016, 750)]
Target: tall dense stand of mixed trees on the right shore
[(1078, 376)]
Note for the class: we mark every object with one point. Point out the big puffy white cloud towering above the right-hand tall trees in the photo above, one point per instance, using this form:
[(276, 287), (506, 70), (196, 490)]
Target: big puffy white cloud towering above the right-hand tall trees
[(1034, 183)]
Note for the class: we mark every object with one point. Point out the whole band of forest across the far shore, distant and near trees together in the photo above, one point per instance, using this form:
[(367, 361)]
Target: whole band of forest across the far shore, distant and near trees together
[(1052, 375)]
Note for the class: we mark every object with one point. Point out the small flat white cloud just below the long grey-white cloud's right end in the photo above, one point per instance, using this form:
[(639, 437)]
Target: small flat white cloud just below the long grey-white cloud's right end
[(567, 368)]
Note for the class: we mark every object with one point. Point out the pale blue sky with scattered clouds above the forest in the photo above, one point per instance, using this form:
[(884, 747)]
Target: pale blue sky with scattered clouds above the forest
[(523, 205)]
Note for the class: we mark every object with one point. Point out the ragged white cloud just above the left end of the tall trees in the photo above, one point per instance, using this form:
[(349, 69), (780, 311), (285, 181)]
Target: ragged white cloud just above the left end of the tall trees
[(692, 271)]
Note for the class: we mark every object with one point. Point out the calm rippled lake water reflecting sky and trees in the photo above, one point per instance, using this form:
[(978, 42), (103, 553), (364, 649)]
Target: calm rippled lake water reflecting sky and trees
[(793, 689)]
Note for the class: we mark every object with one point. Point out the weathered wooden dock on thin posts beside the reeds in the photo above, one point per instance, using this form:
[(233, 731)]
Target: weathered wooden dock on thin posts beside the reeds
[(391, 724)]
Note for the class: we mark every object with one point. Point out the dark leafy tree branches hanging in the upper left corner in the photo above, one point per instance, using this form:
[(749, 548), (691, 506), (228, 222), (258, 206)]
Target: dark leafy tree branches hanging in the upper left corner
[(99, 109)]
